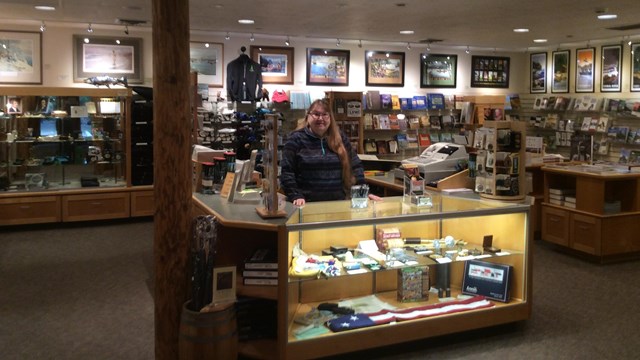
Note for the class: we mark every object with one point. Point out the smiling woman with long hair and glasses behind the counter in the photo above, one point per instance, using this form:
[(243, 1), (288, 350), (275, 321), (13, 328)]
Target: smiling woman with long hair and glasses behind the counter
[(318, 162)]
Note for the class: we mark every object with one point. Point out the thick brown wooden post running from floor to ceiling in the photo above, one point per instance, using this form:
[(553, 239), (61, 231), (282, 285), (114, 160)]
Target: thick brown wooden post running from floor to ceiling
[(172, 174)]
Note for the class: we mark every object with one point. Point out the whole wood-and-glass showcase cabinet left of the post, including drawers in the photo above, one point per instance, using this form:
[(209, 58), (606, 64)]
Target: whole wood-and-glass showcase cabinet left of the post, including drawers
[(64, 154)]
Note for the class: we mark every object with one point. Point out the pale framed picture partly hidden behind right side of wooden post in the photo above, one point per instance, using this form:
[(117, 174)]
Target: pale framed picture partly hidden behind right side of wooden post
[(207, 59)]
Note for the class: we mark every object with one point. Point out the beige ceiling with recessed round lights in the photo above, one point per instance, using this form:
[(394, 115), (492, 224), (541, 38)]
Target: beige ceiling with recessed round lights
[(484, 24)]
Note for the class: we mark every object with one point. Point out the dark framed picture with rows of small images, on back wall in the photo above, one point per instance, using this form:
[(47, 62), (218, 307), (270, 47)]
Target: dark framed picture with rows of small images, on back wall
[(490, 71)]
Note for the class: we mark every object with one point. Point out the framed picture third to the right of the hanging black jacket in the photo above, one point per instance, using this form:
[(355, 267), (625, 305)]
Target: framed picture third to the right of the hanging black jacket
[(384, 68)]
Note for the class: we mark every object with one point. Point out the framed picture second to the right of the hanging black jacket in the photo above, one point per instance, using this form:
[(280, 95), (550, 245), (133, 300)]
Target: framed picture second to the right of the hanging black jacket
[(327, 67)]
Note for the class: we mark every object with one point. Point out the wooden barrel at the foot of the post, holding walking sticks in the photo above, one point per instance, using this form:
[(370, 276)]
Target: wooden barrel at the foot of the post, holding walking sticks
[(209, 335)]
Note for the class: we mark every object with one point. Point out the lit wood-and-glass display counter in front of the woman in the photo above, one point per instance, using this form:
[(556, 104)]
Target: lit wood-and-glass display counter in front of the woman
[(324, 225)]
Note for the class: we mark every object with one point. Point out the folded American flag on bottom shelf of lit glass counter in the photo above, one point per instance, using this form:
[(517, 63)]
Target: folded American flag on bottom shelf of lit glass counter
[(356, 321)]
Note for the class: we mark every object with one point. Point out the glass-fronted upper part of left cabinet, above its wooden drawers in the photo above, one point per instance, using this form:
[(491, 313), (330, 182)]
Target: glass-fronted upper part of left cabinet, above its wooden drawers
[(63, 139)]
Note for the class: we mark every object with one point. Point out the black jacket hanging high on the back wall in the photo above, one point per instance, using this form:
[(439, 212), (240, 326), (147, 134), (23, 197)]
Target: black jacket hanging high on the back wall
[(244, 79)]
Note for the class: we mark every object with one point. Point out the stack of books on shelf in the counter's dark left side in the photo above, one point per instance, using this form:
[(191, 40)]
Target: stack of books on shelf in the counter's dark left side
[(261, 268)]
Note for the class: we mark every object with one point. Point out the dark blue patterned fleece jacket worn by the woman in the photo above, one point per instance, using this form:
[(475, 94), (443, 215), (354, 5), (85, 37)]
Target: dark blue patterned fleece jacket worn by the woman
[(310, 170)]
